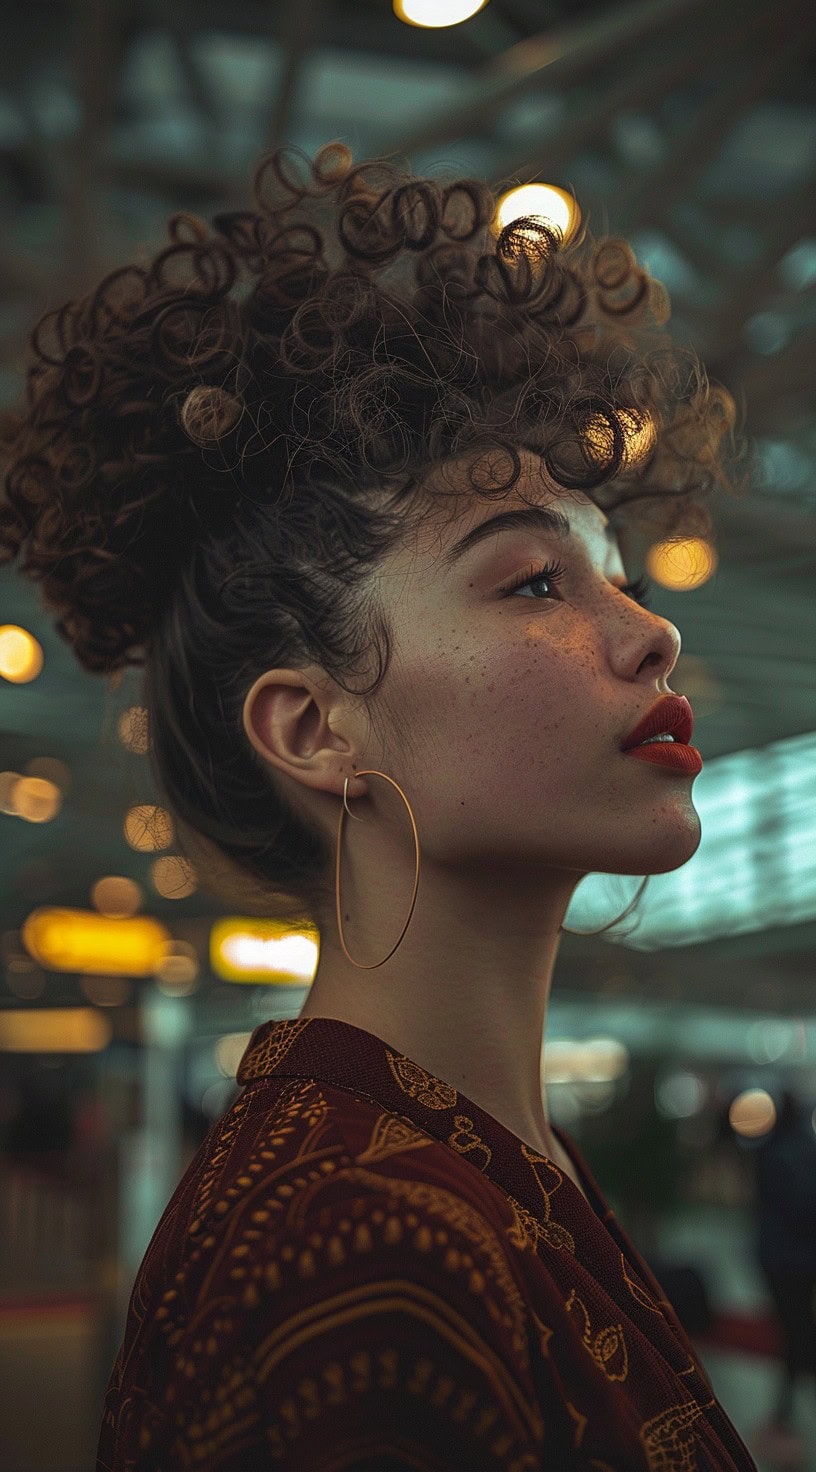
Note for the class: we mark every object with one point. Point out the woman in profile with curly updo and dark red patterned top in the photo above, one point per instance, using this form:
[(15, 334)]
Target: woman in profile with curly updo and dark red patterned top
[(269, 467)]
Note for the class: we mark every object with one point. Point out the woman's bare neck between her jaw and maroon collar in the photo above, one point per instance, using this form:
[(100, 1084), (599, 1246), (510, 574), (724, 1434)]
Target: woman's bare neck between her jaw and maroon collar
[(466, 993)]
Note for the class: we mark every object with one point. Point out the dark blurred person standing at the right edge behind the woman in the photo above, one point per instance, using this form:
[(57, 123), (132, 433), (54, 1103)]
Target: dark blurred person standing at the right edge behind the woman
[(786, 1183)]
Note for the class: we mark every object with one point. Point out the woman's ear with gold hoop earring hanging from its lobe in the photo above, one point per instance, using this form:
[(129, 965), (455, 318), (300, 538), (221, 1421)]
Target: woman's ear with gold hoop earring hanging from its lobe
[(295, 722)]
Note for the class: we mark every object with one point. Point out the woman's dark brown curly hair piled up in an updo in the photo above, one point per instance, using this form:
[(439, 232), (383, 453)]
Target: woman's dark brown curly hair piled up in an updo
[(217, 447)]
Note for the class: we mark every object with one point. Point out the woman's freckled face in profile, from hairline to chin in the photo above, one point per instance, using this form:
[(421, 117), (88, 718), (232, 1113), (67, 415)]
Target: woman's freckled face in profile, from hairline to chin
[(507, 710)]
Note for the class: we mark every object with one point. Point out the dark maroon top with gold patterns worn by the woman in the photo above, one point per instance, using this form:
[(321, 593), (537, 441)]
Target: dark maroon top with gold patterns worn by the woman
[(362, 1270)]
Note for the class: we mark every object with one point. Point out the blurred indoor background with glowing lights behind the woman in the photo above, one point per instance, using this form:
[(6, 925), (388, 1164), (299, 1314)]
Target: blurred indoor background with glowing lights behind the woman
[(126, 996)]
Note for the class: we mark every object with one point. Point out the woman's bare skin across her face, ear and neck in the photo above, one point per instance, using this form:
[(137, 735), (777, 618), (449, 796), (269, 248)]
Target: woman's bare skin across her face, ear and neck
[(502, 719)]
